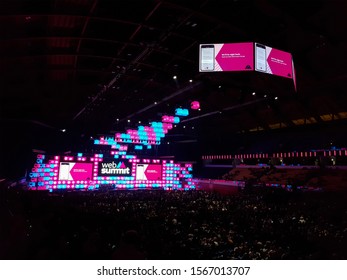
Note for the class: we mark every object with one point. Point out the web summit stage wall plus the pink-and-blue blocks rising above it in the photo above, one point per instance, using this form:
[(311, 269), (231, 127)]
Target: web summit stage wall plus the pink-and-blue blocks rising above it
[(116, 168)]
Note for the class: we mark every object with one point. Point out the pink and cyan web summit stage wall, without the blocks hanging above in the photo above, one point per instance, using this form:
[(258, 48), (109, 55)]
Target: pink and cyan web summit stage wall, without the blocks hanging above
[(128, 172)]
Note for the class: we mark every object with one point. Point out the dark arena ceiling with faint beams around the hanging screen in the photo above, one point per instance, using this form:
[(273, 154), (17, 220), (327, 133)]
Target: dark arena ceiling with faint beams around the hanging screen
[(89, 66)]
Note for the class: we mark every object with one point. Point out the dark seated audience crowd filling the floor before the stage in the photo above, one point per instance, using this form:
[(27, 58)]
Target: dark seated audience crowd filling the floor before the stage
[(255, 223)]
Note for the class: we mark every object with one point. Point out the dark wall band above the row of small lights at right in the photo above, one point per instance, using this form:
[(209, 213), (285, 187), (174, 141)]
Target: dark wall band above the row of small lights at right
[(295, 139)]
